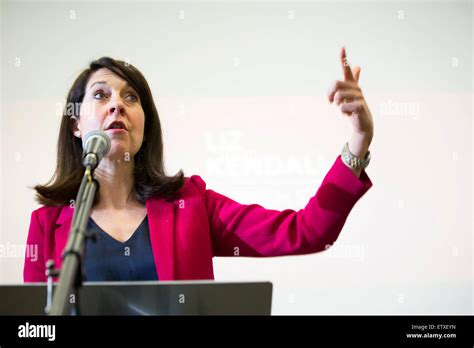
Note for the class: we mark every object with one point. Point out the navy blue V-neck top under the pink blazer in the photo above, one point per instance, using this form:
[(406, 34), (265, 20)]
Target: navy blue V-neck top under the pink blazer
[(107, 259)]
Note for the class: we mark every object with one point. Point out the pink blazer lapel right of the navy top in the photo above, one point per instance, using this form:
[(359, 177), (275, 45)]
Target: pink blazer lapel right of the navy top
[(161, 224)]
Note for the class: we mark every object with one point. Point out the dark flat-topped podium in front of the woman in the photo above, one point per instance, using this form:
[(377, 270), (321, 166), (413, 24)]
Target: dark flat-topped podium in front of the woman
[(146, 298)]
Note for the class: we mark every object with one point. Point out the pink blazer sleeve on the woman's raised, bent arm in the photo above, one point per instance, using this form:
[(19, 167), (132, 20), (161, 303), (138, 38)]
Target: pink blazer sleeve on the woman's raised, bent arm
[(251, 230)]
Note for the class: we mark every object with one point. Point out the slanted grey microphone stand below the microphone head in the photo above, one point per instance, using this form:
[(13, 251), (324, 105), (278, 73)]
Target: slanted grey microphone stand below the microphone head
[(71, 275)]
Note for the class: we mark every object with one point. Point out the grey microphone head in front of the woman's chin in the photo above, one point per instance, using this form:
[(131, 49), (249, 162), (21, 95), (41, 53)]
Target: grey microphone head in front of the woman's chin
[(96, 145)]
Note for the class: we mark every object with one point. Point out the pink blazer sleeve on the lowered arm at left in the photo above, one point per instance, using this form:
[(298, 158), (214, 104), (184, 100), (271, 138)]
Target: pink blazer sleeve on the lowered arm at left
[(34, 268)]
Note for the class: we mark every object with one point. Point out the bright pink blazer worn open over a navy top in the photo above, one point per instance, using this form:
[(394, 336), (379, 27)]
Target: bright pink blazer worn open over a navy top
[(188, 232)]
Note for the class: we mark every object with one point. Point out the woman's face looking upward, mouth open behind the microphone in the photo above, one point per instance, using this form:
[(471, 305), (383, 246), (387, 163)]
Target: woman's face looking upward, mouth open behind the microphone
[(107, 99)]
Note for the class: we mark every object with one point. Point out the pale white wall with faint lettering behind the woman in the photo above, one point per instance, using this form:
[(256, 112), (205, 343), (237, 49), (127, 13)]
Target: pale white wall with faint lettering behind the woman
[(248, 81)]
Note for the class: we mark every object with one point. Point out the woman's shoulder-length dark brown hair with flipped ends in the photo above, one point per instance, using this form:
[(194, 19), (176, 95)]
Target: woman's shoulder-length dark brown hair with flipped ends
[(149, 172)]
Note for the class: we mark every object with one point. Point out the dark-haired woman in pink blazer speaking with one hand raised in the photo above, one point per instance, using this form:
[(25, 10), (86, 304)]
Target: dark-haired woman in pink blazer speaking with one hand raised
[(152, 226)]
